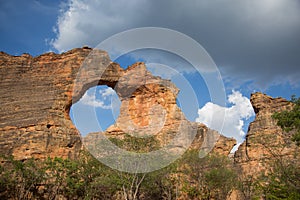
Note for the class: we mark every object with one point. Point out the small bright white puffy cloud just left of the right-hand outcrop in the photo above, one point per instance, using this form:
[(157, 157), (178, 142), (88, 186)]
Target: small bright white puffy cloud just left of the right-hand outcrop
[(233, 120)]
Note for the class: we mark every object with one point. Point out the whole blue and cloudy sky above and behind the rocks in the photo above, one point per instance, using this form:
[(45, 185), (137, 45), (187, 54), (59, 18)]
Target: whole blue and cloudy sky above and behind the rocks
[(254, 43)]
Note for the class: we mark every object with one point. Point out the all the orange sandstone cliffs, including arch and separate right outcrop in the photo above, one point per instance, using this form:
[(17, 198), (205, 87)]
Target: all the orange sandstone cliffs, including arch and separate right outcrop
[(37, 93)]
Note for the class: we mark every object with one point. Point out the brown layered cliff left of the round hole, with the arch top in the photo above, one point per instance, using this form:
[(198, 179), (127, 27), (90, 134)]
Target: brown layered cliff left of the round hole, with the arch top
[(35, 97)]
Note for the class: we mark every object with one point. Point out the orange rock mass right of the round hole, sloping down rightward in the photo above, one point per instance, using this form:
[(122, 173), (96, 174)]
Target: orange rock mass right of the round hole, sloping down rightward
[(149, 109)]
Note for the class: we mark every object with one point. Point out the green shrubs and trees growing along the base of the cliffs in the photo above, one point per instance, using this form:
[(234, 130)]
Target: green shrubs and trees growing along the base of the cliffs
[(190, 177)]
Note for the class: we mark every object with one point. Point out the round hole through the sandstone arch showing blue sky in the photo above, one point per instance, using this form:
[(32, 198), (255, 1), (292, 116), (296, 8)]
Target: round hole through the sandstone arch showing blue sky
[(96, 110)]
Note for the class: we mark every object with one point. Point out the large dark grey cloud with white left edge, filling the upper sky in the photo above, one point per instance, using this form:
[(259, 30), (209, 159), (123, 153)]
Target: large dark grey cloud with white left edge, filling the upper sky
[(250, 40)]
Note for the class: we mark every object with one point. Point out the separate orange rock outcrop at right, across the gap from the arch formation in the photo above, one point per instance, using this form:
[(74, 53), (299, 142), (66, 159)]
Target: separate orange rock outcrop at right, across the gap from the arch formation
[(264, 139)]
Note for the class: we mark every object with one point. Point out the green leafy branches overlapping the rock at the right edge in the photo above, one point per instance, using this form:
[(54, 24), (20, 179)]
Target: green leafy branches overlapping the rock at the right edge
[(290, 120)]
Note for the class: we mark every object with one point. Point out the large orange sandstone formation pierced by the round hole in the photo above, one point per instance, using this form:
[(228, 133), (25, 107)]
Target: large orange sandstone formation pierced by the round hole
[(37, 93)]
